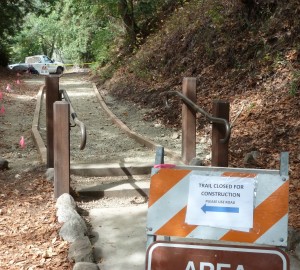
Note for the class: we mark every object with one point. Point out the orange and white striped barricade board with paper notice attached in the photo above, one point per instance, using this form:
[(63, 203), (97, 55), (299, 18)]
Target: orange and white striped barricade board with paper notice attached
[(213, 203)]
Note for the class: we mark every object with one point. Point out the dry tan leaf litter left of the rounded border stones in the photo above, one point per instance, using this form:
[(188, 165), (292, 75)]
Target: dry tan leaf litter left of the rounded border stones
[(29, 228)]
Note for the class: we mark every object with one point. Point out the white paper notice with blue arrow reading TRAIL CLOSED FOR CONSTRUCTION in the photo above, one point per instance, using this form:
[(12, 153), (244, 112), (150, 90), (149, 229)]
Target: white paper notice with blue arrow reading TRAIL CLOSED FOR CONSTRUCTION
[(223, 202)]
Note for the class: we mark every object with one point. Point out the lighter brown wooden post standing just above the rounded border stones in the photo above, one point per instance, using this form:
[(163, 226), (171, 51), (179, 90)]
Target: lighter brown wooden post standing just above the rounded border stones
[(61, 148)]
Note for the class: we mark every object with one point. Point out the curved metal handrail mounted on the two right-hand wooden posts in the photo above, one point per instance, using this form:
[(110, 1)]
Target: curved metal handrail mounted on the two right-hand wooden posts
[(208, 116)]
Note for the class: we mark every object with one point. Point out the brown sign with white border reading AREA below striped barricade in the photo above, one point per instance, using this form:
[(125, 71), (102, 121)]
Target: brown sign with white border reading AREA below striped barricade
[(191, 256)]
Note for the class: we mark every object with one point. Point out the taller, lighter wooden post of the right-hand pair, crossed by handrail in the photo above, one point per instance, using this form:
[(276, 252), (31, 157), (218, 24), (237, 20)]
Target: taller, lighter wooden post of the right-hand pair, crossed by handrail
[(189, 121)]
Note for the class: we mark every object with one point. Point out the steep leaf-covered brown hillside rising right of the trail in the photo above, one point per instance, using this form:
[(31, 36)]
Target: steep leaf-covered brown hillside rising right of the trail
[(248, 58)]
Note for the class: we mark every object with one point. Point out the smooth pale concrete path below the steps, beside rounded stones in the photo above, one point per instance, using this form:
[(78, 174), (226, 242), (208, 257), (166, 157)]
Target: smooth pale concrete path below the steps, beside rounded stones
[(119, 237)]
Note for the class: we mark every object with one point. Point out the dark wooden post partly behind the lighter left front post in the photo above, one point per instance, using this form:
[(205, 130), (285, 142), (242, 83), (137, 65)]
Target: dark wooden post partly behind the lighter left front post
[(52, 95)]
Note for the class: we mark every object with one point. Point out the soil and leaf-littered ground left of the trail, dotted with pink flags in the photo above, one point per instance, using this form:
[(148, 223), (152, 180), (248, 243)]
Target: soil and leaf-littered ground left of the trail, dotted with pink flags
[(29, 228)]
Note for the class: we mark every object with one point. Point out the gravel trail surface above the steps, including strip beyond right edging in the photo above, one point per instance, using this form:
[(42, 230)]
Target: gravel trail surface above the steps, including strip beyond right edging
[(105, 141)]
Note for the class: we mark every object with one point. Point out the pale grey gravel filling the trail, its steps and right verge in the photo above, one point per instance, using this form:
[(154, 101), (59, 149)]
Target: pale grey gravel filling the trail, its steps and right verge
[(108, 143)]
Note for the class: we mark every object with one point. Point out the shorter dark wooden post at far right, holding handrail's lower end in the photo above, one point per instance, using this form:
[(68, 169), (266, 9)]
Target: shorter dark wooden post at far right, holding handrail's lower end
[(219, 149)]
